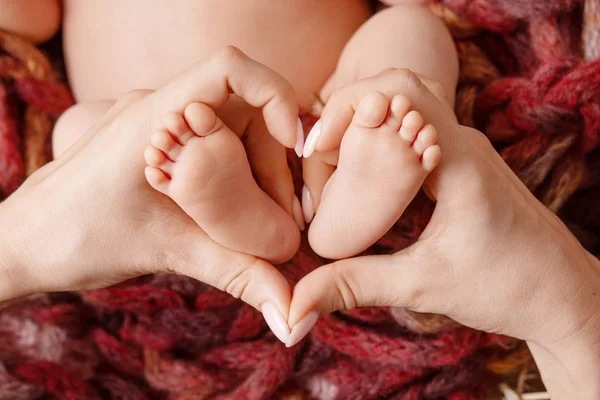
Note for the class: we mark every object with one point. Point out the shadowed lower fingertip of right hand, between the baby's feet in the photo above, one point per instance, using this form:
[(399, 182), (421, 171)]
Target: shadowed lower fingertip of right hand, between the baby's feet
[(316, 171)]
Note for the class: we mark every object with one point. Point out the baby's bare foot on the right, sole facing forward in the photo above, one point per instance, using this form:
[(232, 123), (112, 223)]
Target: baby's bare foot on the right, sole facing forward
[(385, 156)]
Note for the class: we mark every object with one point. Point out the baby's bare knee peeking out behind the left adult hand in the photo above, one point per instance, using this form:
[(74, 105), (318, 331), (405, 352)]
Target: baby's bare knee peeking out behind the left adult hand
[(74, 122)]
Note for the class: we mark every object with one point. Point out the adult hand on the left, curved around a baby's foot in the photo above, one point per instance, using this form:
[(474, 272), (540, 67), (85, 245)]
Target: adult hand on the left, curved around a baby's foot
[(89, 219)]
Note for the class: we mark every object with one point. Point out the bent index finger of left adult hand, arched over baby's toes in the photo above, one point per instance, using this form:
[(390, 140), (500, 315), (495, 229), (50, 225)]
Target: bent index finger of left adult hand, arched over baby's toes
[(231, 71)]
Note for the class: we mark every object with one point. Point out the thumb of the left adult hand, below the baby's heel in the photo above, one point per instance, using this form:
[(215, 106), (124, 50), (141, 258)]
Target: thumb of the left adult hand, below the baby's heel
[(248, 278)]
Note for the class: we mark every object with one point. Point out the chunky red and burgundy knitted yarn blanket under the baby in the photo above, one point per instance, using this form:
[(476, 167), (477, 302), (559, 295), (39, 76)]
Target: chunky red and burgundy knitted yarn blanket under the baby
[(529, 80)]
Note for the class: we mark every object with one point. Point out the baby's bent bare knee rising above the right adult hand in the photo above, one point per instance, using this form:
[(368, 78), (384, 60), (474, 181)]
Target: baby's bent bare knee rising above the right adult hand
[(407, 36)]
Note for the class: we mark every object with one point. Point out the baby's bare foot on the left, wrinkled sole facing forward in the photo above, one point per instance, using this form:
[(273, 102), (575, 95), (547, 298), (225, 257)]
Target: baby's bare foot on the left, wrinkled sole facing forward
[(200, 164)]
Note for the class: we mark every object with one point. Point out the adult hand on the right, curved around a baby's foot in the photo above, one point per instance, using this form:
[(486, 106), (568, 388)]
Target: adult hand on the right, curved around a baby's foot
[(492, 257)]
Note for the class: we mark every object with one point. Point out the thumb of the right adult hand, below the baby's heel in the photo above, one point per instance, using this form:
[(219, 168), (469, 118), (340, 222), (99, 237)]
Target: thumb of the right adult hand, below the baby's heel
[(398, 280)]
